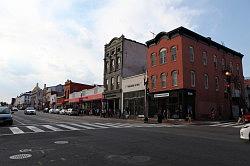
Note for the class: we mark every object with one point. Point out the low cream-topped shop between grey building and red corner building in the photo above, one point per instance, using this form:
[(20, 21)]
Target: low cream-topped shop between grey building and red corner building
[(133, 95)]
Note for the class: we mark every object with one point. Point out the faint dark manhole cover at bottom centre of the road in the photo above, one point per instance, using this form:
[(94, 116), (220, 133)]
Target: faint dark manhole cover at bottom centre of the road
[(128, 158)]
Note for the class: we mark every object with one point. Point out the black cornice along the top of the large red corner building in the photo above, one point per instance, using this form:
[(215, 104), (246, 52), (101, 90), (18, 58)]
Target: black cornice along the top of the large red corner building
[(184, 31)]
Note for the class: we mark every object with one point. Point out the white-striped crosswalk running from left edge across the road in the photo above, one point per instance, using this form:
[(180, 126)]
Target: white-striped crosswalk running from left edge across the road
[(41, 128)]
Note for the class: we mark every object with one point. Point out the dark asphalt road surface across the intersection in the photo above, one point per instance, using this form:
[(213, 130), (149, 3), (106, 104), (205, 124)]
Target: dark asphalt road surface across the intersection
[(131, 143)]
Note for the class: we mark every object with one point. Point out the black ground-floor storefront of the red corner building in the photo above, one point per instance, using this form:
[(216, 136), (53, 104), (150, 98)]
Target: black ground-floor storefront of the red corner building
[(176, 102)]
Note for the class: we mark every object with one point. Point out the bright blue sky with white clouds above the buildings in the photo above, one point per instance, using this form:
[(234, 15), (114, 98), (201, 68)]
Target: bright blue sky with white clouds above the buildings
[(50, 41)]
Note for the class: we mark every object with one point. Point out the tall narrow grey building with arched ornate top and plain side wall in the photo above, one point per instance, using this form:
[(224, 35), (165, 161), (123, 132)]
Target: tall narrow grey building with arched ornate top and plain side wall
[(123, 58)]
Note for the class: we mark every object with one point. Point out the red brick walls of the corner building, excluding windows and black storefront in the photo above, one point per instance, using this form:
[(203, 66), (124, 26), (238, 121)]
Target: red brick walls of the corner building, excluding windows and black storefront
[(206, 99)]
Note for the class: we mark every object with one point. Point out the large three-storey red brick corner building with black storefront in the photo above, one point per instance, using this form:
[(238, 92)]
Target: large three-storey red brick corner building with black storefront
[(189, 71)]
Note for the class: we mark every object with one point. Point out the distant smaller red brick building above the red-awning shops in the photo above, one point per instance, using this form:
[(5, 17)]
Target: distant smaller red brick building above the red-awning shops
[(71, 87)]
